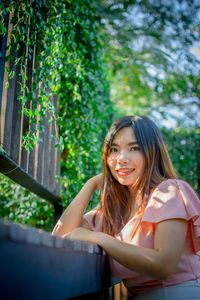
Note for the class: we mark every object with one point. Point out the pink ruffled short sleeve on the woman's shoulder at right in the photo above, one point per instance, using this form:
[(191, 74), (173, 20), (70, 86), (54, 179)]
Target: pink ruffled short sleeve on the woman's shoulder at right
[(175, 199)]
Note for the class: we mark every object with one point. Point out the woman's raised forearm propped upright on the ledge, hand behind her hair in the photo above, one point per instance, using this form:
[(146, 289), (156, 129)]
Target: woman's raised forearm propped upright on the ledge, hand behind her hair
[(73, 214)]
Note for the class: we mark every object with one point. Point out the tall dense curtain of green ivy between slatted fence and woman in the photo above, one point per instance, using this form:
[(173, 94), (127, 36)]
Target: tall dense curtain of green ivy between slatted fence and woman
[(84, 97)]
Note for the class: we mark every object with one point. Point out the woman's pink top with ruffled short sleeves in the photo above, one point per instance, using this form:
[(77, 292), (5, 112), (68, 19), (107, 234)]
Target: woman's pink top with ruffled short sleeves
[(170, 200)]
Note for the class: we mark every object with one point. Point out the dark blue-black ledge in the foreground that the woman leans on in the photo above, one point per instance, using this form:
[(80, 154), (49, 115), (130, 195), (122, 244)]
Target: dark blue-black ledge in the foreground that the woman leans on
[(36, 265)]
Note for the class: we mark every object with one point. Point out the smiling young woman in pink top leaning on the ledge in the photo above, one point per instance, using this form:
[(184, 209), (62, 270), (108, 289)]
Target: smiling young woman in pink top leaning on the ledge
[(148, 222)]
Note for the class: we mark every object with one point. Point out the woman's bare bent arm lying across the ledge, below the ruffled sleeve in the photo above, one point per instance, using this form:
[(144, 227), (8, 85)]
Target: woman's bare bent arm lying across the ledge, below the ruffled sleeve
[(160, 262)]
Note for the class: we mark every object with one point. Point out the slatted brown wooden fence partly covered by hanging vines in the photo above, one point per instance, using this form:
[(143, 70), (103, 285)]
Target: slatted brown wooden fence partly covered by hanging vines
[(39, 169)]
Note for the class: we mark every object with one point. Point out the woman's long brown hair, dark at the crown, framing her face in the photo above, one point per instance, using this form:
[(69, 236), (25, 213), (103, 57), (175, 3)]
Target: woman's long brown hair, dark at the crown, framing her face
[(116, 204)]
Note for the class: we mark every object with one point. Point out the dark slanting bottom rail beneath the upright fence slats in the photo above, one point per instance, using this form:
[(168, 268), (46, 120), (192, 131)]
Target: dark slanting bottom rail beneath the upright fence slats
[(9, 168)]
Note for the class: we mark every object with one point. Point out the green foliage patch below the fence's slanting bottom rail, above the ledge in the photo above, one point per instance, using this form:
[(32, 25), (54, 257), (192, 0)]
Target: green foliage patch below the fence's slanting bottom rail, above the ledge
[(21, 206)]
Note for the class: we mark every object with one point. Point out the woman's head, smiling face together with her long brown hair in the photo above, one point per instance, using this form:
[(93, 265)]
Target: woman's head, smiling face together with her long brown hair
[(124, 196)]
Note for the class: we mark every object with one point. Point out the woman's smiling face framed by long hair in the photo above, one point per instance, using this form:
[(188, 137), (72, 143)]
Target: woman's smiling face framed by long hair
[(125, 159)]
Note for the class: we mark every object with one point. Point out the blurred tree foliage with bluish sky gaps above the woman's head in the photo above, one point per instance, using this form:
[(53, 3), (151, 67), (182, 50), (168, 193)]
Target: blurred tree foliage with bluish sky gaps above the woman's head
[(149, 55)]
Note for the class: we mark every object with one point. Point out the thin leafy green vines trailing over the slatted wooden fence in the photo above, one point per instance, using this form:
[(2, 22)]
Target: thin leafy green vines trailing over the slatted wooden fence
[(31, 34)]
